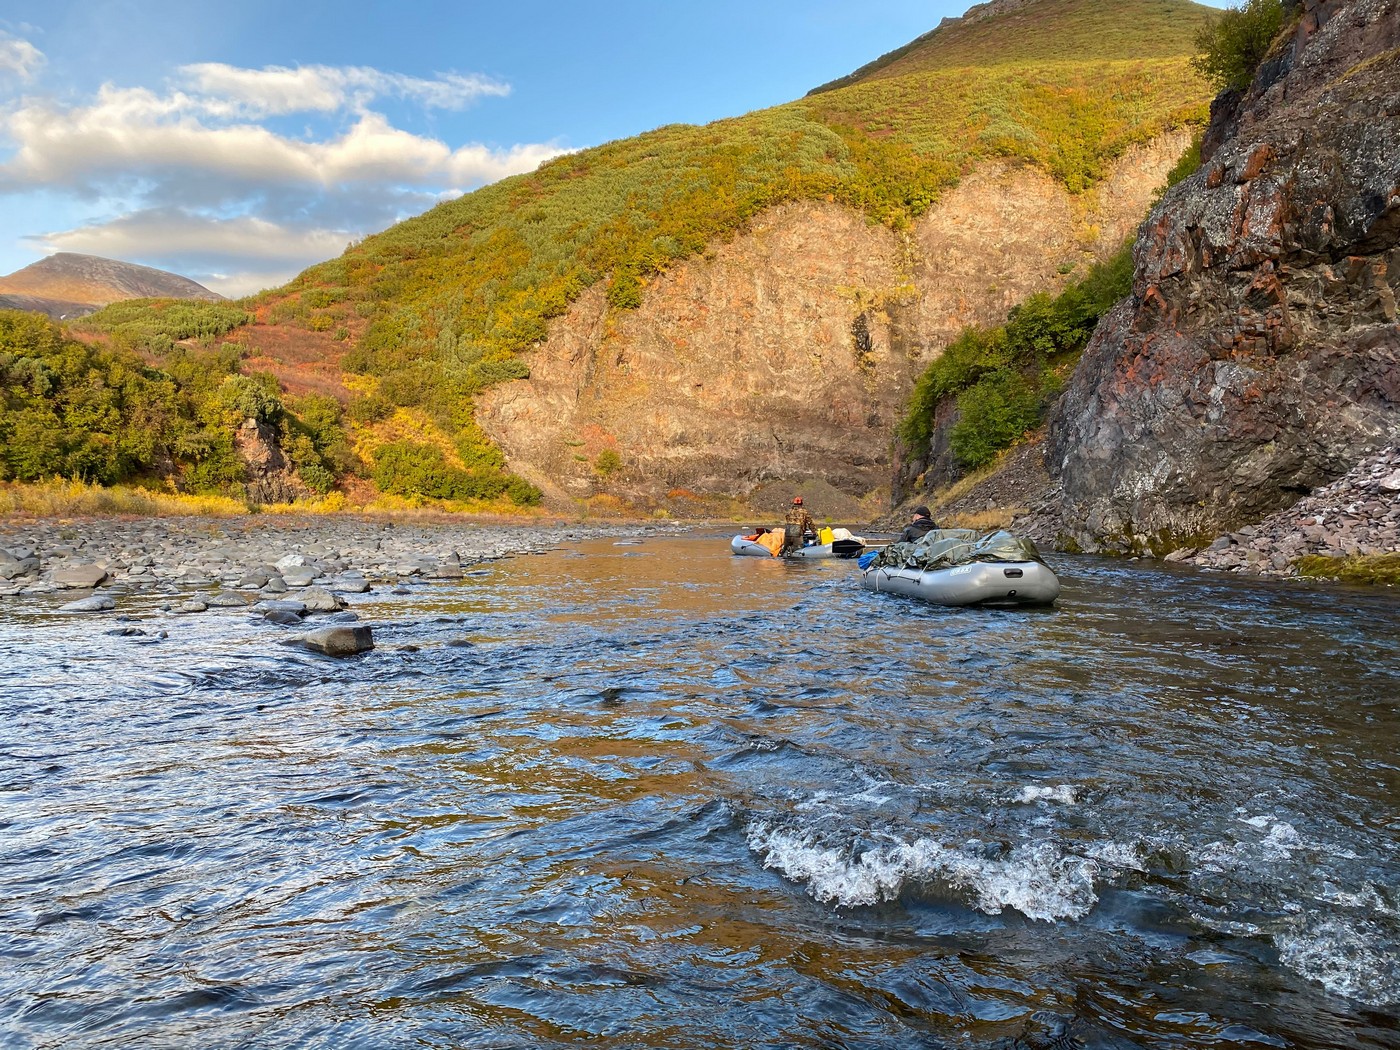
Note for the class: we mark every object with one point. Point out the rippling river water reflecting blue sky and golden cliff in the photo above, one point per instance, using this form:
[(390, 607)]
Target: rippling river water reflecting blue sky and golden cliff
[(647, 794)]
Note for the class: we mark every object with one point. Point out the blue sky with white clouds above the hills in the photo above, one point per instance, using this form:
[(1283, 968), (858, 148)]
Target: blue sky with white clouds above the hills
[(239, 143)]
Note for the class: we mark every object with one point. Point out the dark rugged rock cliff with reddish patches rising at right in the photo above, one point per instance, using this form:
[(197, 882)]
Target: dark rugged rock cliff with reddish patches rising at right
[(1259, 355)]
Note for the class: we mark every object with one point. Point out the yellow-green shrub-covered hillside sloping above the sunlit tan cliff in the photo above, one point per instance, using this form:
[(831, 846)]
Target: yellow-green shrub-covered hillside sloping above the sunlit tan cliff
[(440, 307)]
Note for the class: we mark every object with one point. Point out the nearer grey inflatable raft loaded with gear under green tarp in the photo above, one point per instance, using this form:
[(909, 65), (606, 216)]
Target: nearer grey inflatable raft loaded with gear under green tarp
[(962, 568)]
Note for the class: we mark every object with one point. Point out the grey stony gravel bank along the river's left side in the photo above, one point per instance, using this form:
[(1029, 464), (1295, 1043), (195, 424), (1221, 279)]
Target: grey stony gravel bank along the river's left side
[(226, 562)]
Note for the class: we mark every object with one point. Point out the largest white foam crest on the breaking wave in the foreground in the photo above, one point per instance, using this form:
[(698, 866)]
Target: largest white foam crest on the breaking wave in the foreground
[(1038, 880)]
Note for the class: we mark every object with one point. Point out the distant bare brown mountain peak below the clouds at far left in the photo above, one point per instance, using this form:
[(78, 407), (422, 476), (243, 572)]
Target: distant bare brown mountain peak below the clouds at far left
[(69, 285)]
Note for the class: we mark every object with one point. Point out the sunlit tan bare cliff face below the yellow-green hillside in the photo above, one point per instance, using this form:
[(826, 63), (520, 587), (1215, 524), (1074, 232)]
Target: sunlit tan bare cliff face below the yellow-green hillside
[(789, 353)]
